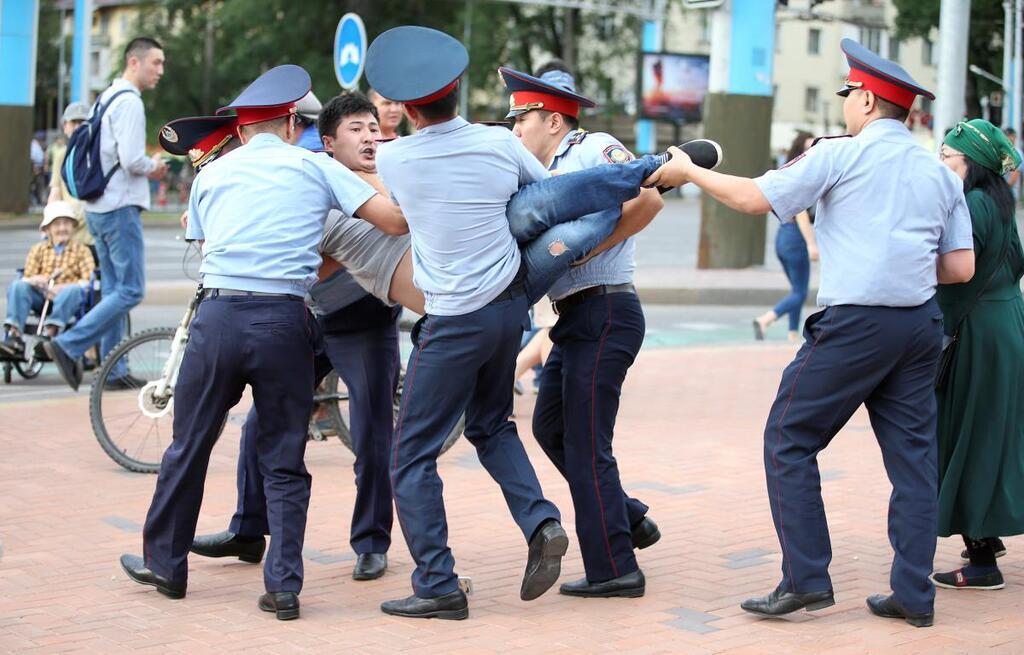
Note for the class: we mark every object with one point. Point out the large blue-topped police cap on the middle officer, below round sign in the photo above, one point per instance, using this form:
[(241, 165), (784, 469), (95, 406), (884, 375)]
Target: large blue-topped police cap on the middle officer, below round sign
[(414, 65)]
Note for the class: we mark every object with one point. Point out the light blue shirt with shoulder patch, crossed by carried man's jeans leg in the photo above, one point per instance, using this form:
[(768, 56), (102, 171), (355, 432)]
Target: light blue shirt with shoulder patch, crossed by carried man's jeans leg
[(616, 266)]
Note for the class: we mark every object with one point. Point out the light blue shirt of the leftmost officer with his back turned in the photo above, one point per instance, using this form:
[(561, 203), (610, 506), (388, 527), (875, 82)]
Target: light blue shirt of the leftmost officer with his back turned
[(262, 210)]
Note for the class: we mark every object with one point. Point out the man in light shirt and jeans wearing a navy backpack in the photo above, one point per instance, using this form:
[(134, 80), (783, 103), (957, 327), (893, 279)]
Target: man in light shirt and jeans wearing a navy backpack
[(115, 196)]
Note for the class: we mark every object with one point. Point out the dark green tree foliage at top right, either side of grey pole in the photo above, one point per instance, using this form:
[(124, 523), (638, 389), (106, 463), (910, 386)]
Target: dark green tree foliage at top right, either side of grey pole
[(918, 18)]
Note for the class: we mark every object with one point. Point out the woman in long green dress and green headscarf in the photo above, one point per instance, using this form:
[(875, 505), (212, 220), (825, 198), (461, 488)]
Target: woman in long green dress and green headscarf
[(980, 431)]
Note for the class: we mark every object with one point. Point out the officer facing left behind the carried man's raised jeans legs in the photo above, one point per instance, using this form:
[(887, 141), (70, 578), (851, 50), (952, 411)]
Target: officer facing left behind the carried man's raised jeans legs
[(600, 332)]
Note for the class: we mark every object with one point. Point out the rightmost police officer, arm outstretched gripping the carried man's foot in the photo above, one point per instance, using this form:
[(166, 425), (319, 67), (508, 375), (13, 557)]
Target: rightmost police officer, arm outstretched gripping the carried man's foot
[(892, 222)]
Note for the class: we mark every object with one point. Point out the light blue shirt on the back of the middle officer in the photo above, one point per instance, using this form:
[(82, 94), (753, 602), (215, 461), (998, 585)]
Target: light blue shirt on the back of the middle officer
[(453, 182)]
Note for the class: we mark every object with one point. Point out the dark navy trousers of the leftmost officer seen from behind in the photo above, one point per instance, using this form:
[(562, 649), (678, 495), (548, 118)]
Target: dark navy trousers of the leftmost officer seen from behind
[(267, 343)]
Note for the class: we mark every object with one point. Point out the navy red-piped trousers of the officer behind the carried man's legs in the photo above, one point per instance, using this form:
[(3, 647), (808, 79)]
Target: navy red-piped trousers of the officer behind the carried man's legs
[(595, 344)]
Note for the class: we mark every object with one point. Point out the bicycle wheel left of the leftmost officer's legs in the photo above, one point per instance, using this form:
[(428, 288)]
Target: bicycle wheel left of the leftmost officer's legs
[(133, 425)]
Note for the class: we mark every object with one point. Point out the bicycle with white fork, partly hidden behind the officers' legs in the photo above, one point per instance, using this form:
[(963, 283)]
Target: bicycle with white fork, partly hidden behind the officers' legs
[(153, 359)]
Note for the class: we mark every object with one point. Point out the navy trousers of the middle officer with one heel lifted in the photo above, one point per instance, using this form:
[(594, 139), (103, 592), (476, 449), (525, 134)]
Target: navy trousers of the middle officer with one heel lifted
[(460, 364)]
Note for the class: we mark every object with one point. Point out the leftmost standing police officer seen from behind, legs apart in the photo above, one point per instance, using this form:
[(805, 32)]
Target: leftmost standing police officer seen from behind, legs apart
[(261, 212)]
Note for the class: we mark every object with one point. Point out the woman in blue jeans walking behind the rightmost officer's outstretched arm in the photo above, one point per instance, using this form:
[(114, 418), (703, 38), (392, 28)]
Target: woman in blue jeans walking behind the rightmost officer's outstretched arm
[(796, 248)]
